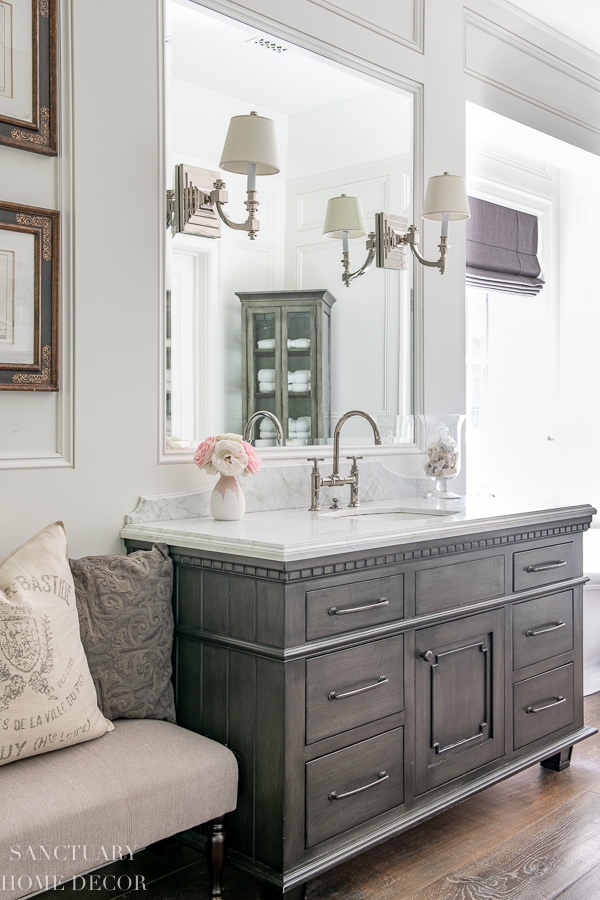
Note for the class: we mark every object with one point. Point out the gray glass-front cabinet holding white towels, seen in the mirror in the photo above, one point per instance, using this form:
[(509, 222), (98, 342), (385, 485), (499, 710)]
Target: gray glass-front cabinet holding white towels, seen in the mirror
[(286, 353)]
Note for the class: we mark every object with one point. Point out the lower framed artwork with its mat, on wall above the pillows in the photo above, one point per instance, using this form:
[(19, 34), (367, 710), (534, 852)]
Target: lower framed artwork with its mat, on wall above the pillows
[(29, 298)]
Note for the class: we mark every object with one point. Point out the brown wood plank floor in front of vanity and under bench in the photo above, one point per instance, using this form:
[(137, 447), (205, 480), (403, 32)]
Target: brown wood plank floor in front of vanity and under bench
[(535, 836)]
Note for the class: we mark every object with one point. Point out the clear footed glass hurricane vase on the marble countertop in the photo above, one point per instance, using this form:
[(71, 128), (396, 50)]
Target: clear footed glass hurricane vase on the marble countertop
[(442, 453)]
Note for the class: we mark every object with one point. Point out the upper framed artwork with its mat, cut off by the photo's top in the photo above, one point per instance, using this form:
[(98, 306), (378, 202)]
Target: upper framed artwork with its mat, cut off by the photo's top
[(28, 75)]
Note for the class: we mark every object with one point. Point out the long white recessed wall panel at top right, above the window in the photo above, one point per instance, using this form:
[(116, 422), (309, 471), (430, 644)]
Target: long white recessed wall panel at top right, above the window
[(500, 58)]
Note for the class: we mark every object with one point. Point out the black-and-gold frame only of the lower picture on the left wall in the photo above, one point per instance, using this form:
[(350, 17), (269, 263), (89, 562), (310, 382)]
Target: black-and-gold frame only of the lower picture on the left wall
[(42, 374)]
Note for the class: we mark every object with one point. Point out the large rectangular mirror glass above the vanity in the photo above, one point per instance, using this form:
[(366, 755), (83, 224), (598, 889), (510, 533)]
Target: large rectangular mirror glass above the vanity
[(260, 136)]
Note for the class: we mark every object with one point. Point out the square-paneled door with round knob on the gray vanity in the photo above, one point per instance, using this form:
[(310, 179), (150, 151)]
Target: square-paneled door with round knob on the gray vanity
[(459, 698)]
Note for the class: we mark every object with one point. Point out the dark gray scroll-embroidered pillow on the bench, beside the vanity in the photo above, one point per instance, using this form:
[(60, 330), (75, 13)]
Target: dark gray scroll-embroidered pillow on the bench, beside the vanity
[(126, 623)]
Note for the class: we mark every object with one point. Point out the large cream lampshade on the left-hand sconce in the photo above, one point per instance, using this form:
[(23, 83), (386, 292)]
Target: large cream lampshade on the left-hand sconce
[(250, 139)]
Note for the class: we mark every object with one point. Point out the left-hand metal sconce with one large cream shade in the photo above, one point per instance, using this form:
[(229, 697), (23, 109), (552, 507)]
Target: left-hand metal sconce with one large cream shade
[(196, 204)]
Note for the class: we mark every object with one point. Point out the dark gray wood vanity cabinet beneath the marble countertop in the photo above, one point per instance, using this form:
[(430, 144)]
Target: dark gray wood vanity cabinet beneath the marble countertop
[(366, 691)]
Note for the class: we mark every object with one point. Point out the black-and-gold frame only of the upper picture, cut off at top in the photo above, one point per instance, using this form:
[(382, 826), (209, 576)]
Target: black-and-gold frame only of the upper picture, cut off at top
[(41, 134)]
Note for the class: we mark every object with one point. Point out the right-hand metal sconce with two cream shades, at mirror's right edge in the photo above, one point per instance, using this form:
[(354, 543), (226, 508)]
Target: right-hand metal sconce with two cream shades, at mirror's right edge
[(446, 200)]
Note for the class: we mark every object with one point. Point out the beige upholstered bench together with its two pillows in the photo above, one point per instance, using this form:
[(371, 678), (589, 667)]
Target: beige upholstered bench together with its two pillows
[(92, 764)]
